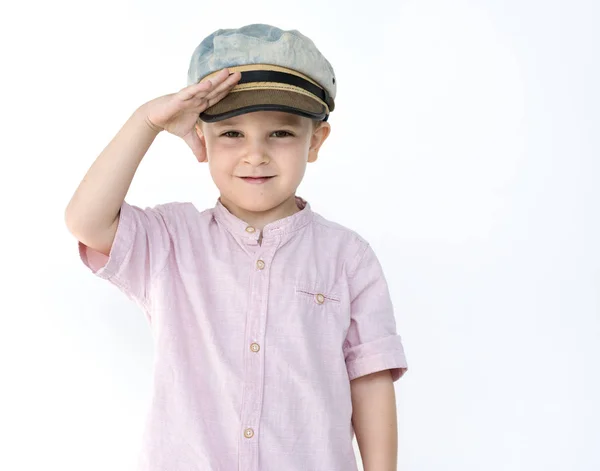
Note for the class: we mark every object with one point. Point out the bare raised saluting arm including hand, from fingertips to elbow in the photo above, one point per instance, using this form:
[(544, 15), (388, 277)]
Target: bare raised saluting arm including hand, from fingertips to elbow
[(92, 215)]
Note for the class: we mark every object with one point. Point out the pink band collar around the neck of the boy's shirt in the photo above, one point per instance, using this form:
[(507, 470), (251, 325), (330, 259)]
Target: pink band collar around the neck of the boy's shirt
[(242, 229)]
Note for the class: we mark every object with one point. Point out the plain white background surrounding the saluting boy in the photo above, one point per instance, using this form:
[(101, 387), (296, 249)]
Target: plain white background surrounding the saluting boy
[(464, 147)]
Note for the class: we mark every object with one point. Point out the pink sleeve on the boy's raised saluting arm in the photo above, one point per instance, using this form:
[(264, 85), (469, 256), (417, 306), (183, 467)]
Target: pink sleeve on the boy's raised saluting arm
[(140, 249)]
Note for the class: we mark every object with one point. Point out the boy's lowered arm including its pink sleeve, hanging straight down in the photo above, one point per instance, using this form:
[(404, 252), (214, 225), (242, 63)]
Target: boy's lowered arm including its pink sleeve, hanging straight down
[(375, 358)]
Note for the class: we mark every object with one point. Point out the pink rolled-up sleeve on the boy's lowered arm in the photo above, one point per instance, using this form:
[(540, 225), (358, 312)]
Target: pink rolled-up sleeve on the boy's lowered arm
[(372, 342)]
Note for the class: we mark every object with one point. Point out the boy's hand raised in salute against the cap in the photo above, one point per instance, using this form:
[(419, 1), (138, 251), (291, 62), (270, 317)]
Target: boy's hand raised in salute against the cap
[(178, 112)]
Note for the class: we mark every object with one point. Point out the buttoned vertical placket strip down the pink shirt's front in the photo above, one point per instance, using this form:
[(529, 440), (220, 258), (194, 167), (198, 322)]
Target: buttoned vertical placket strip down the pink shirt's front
[(255, 355)]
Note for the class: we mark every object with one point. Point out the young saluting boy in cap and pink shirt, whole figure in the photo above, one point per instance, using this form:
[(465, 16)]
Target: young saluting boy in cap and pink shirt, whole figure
[(275, 338)]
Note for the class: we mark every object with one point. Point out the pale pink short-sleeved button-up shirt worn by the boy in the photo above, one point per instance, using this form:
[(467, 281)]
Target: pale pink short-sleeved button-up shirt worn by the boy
[(255, 344)]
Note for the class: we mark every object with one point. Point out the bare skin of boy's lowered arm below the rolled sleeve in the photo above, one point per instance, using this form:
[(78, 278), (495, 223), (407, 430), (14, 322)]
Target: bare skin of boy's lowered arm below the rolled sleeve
[(374, 420)]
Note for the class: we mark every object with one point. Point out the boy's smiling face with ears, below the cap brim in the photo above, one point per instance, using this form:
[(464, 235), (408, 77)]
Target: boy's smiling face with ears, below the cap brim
[(272, 145)]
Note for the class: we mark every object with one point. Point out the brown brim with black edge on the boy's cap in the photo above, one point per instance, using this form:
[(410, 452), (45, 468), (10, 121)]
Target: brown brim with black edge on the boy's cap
[(246, 101)]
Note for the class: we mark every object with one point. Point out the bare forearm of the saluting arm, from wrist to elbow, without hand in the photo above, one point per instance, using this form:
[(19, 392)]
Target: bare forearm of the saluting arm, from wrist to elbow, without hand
[(98, 198)]
